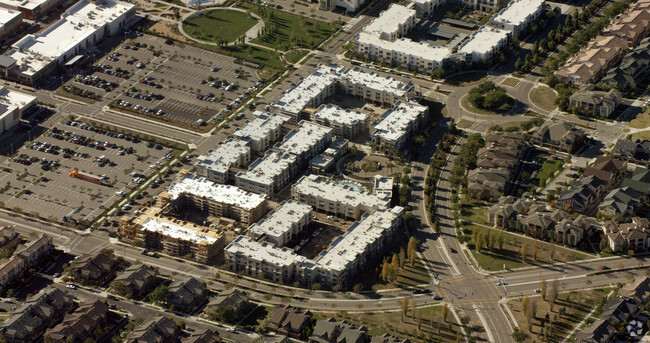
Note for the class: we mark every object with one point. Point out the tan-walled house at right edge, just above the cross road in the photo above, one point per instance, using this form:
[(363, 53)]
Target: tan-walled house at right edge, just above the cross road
[(629, 236)]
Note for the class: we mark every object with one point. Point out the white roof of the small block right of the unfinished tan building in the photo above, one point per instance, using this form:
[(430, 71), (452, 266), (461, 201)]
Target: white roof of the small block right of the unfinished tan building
[(279, 222)]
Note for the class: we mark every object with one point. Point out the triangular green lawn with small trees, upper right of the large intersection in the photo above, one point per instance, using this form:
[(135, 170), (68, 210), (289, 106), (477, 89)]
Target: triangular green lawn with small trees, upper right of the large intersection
[(510, 254)]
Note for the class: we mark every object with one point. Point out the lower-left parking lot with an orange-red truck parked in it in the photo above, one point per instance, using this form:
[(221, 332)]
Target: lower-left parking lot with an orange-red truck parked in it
[(108, 165)]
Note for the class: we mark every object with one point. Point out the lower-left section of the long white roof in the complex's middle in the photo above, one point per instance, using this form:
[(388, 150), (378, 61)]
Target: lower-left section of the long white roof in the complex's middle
[(265, 169)]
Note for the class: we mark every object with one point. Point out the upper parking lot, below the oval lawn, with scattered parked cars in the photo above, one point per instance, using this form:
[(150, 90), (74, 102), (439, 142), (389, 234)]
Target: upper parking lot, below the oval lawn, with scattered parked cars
[(172, 83)]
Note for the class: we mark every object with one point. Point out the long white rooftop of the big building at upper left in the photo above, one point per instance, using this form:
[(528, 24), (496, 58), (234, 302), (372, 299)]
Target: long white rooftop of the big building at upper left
[(78, 23)]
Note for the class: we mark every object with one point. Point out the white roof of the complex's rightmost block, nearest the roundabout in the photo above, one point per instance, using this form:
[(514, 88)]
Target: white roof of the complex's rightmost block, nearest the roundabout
[(396, 121)]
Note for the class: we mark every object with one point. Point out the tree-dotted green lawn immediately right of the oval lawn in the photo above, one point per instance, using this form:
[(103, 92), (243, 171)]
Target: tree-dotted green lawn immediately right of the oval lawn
[(285, 30)]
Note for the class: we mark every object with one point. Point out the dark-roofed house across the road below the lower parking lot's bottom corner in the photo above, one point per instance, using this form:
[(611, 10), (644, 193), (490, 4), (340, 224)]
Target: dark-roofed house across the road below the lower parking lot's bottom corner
[(93, 269)]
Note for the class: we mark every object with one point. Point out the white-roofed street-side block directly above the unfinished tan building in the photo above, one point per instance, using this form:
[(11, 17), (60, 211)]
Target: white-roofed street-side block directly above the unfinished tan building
[(216, 165)]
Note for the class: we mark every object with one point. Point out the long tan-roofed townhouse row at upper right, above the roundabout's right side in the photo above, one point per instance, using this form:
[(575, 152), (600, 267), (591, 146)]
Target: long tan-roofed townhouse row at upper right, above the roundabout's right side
[(591, 63)]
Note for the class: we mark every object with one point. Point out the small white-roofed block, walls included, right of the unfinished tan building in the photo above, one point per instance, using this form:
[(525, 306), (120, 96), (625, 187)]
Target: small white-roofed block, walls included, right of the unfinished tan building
[(282, 225)]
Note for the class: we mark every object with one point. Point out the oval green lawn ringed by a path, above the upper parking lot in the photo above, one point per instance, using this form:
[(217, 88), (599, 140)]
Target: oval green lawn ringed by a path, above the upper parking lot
[(218, 24)]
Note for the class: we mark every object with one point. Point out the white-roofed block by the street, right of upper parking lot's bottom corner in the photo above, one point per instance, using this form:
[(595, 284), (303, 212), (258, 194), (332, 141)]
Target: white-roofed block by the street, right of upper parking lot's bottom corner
[(262, 131)]
